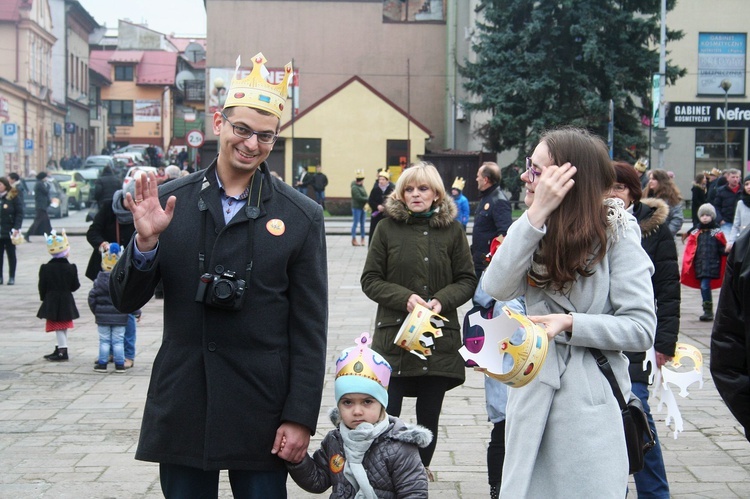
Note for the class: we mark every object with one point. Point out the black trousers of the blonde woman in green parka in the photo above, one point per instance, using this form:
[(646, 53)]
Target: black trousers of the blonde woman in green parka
[(430, 392)]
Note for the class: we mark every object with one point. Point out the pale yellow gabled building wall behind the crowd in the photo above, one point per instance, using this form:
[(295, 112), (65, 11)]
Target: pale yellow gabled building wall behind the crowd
[(354, 126)]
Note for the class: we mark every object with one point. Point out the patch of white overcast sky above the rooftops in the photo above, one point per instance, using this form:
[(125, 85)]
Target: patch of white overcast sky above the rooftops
[(182, 17)]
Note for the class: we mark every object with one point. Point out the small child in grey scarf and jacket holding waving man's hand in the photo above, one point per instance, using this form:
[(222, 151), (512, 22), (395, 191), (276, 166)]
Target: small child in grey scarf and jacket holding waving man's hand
[(369, 454)]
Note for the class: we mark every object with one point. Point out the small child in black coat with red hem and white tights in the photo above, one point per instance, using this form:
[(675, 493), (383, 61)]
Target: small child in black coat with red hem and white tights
[(58, 279)]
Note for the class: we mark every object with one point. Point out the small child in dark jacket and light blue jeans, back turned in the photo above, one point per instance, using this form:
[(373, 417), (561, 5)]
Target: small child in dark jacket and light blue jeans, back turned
[(110, 321)]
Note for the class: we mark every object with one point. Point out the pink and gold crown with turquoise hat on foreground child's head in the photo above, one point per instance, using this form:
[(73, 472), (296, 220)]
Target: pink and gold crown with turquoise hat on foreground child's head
[(362, 370)]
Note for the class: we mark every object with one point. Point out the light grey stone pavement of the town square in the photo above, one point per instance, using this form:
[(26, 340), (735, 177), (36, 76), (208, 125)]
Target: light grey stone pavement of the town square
[(68, 432)]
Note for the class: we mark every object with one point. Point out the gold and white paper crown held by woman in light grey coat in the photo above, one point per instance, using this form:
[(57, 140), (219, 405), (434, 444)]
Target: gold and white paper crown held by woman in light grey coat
[(514, 336)]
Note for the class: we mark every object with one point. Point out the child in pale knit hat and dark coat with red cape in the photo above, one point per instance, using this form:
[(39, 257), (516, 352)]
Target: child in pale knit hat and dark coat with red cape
[(703, 258)]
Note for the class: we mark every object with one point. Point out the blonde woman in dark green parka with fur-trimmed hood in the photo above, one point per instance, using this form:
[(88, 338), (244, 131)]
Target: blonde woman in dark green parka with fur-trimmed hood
[(419, 255)]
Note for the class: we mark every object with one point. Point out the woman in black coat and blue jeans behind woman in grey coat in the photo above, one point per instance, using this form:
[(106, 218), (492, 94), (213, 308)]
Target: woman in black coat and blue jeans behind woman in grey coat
[(657, 240)]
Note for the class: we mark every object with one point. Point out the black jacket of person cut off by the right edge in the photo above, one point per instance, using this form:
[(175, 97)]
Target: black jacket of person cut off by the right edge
[(730, 354)]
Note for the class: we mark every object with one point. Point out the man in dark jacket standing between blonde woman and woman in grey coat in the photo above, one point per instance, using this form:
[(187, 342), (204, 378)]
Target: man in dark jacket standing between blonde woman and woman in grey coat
[(493, 215)]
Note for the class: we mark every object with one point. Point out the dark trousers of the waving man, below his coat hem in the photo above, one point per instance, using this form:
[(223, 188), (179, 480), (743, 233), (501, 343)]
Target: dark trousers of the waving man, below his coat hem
[(183, 482)]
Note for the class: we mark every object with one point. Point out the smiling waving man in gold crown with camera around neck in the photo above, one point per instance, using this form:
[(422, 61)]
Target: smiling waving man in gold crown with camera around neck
[(242, 258)]
